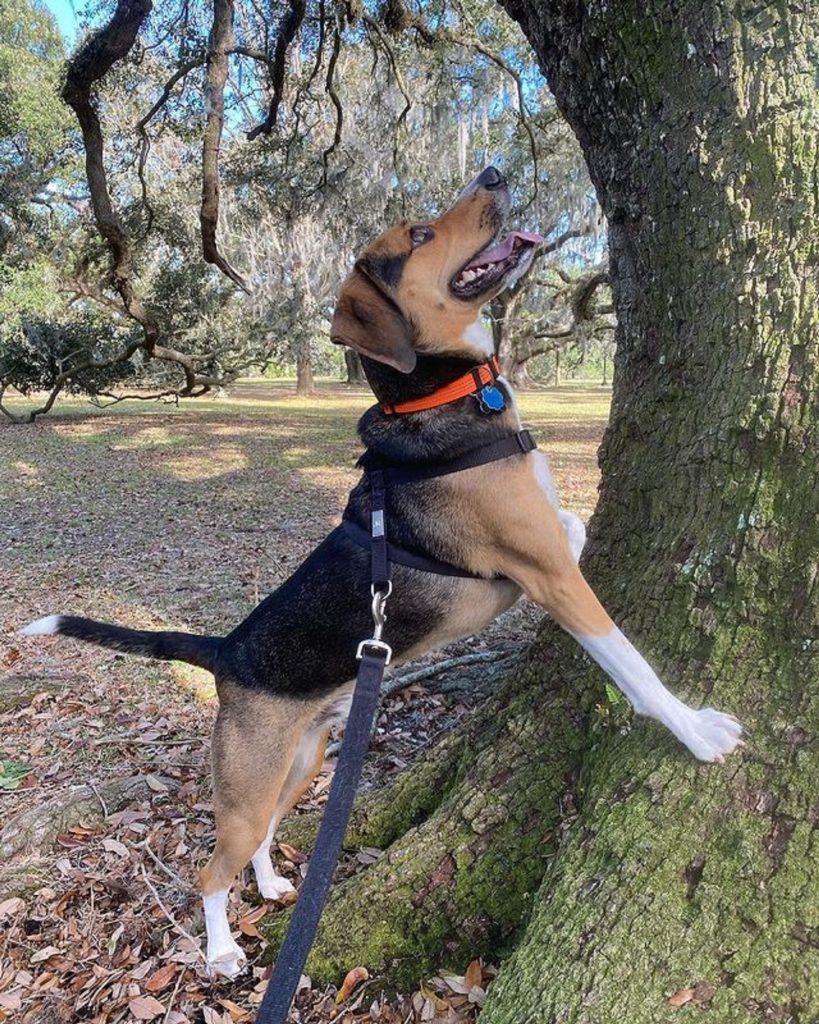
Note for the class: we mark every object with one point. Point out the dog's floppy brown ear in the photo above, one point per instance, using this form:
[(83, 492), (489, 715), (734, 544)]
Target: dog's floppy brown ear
[(369, 321)]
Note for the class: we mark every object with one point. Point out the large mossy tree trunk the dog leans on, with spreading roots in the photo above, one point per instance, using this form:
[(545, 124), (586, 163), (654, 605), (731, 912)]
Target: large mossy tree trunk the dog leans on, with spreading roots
[(699, 122)]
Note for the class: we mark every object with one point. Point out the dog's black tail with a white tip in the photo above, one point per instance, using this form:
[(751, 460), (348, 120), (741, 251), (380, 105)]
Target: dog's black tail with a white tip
[(166, 647)]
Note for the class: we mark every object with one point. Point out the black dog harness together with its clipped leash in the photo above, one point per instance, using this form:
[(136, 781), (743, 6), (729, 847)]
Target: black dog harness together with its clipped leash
[(374, 656)]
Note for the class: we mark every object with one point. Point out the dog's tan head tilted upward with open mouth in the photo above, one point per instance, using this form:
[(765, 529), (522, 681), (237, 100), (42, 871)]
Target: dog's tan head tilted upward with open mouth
[(420, 287)]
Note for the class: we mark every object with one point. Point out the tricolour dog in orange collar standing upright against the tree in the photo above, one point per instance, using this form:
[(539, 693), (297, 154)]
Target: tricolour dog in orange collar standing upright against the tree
[(411, 308)]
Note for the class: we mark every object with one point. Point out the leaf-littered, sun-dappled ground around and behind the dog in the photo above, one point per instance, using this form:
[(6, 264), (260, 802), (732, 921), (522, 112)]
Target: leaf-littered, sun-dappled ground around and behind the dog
[(162, 518)]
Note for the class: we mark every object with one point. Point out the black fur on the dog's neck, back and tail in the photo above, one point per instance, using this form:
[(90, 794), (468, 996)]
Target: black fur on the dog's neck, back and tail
[(301, 641)]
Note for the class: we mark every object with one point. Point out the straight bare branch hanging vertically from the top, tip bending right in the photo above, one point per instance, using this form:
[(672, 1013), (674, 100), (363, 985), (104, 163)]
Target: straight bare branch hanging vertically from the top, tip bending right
[(221, 44)]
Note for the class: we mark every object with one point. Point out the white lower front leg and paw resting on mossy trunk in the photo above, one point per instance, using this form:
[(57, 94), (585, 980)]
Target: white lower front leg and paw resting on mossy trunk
[(708, 734)]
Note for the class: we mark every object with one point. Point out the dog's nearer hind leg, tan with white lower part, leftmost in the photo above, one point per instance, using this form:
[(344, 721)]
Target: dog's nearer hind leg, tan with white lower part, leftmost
[(254, 746)]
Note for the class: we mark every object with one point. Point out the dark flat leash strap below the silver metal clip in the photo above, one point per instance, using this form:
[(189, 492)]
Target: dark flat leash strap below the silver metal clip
[(314, 892)]
